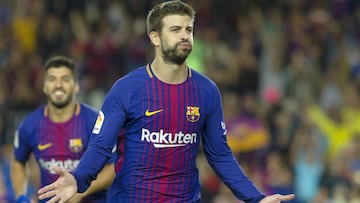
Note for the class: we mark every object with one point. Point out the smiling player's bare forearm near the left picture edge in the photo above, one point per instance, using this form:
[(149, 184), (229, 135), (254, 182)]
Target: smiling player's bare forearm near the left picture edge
[(18, 178)]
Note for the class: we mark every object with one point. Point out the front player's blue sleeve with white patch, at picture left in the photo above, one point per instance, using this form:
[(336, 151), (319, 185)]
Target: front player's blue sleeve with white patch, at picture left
[(105, 133)]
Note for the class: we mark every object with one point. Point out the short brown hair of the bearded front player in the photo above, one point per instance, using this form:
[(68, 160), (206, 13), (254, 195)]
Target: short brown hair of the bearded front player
[(174, 7)]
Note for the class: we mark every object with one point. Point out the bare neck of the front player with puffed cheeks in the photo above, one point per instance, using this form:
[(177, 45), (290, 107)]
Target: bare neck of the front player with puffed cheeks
[(169, 73)]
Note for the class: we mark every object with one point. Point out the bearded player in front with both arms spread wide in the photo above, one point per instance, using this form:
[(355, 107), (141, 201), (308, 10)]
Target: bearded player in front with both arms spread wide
[(164, 110)]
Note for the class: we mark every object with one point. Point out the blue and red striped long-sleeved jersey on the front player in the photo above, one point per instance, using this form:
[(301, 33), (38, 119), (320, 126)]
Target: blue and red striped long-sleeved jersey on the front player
[(162, 126)]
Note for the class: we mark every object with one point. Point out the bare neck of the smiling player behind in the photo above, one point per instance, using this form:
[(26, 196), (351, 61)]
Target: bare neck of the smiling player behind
[(60, 115)]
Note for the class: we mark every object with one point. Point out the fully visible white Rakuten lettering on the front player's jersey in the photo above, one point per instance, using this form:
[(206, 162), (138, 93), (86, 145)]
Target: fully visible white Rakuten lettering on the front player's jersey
[(163, 139)]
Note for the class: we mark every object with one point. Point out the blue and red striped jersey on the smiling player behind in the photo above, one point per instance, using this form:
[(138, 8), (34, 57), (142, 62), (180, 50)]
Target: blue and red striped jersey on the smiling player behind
[(56, 144)]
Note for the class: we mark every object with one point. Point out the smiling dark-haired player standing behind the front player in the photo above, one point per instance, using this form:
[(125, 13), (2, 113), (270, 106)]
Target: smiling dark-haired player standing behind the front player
[(58, 135)]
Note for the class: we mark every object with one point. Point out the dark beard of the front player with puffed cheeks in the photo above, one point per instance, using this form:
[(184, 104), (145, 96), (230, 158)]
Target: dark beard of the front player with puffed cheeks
[(174, 54)]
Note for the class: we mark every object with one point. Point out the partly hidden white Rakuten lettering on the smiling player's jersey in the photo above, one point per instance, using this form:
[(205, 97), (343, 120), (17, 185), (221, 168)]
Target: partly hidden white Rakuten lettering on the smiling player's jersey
[(68, 165)]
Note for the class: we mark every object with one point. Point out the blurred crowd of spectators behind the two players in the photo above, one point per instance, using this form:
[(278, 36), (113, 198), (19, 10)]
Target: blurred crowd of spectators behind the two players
[(289, 73)]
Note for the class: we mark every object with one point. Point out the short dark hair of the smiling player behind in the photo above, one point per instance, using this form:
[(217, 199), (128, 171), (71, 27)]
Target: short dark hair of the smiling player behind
[(61, 61)]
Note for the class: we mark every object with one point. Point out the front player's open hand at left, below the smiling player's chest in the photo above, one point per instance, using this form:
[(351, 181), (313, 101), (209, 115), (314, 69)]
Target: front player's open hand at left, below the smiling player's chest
[(61, 190)]
